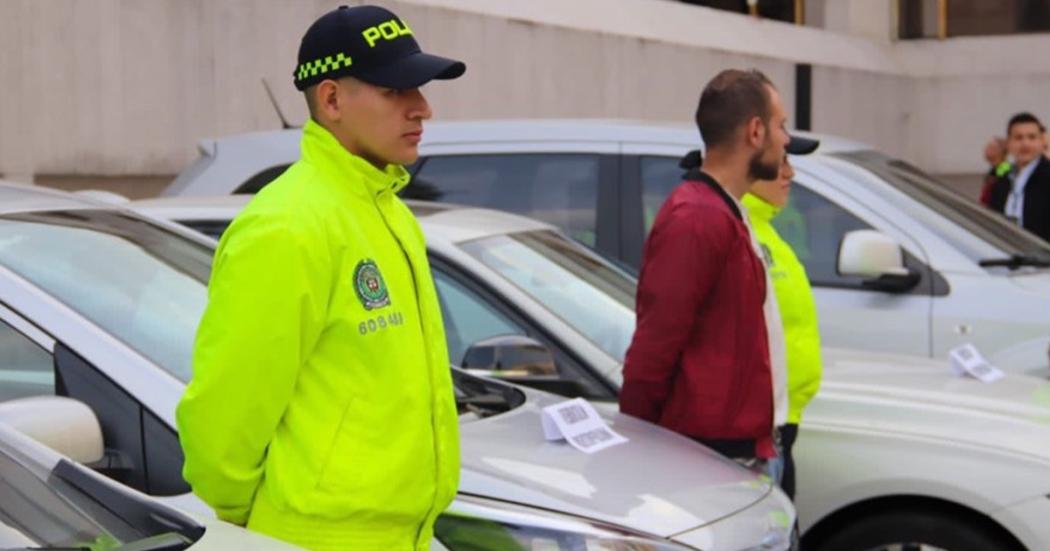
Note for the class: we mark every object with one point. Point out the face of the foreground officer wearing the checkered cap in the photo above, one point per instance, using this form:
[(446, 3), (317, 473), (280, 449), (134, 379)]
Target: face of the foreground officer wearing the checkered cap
[(381, 125)]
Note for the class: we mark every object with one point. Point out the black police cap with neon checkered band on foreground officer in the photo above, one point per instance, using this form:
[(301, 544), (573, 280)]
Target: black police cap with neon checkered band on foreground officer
[(372, 45)]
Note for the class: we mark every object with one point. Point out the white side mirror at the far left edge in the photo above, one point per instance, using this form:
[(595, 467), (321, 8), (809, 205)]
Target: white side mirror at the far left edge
[(64, 425)]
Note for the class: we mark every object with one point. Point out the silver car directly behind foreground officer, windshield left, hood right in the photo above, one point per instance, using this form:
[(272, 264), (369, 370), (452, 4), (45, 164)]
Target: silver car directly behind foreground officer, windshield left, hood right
[(100, 305)]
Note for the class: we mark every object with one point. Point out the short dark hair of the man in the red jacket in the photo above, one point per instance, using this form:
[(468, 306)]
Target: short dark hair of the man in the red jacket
[(729, 101)]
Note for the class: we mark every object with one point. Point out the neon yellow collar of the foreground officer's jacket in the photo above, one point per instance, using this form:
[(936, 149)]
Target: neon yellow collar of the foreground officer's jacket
[(322, 150)]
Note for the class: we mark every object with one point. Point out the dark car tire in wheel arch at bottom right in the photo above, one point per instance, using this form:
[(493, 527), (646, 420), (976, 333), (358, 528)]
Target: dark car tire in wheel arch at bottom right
[(914, 532)]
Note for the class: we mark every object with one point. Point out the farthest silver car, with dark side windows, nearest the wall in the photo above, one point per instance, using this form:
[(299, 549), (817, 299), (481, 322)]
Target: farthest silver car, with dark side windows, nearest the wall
[(964, 275)]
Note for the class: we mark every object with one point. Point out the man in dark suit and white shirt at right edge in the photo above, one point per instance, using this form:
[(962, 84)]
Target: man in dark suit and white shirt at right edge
[(1023, 196)]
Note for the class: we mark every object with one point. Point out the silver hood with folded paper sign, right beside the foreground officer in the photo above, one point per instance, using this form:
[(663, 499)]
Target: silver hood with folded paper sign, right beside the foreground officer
[(659, 482)]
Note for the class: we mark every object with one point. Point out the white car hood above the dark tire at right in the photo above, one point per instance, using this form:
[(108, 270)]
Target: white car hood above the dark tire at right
[(923, 398)]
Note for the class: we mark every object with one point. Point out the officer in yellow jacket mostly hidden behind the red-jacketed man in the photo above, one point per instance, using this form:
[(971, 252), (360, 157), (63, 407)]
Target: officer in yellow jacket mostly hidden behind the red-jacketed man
[(799, 313)]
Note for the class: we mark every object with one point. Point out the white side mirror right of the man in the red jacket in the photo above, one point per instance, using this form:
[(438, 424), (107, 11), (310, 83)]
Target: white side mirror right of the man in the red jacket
[(879, 260)]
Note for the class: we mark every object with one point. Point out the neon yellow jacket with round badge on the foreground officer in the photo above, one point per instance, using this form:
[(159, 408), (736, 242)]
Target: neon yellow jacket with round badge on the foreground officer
[(322, 410)]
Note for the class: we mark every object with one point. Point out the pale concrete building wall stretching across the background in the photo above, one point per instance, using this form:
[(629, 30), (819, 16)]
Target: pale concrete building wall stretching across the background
[(122, 88)]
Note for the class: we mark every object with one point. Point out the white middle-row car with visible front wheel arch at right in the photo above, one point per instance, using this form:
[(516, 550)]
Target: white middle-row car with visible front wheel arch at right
[(895, 451)]
